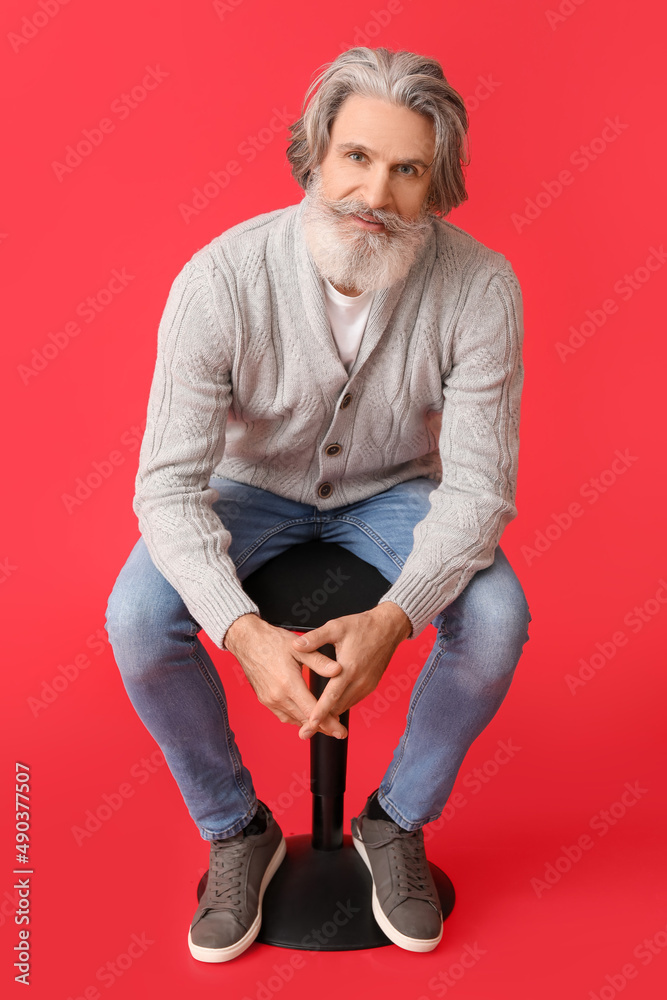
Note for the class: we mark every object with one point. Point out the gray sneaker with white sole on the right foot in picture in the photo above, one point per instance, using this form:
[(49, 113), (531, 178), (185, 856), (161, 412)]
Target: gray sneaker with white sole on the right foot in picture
[(406, 904)]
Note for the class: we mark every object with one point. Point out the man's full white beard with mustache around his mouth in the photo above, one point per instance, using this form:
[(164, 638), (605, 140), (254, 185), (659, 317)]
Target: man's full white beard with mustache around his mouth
[(354, 257)]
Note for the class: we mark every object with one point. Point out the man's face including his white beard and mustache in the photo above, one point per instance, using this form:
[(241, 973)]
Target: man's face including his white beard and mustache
[(365, 219)]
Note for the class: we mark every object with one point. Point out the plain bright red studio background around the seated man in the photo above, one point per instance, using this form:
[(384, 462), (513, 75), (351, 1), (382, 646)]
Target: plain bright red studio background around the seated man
[(552, 81)]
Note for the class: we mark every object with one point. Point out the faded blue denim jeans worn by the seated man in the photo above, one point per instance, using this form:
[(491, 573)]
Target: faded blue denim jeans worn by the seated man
[(178, 694)]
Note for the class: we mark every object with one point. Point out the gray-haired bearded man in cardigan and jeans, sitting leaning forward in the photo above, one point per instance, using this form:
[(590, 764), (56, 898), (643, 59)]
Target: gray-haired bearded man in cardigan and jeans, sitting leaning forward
[(349, 369)]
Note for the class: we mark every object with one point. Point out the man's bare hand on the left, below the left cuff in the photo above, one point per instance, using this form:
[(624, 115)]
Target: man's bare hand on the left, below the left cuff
[(273, 666)]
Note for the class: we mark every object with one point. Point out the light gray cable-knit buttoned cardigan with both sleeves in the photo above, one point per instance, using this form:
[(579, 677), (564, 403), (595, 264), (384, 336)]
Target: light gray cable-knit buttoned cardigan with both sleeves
[(248, 385)]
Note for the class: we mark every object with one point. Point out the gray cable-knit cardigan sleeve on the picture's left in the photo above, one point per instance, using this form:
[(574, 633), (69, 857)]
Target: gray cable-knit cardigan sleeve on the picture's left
[(183, 442)]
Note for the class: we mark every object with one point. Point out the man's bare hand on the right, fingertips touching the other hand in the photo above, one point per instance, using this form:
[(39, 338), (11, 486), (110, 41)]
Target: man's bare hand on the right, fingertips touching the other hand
[(365, 643)]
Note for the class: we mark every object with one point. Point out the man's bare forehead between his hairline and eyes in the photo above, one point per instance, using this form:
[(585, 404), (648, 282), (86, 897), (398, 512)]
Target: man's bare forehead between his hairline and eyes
[(383, 127)]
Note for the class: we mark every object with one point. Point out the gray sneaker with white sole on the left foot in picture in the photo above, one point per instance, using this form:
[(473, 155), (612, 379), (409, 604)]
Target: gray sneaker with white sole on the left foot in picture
[(229, 914)]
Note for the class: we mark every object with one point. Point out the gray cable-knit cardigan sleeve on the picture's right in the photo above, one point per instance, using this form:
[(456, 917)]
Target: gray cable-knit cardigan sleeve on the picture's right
[(479, 445)]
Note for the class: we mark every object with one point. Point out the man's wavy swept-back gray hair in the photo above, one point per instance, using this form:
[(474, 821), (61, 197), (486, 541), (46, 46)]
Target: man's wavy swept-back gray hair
[(404, 79)]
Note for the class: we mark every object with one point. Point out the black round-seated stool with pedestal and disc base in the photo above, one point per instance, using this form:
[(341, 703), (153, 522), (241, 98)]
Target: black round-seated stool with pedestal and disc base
[(320, 897)]
